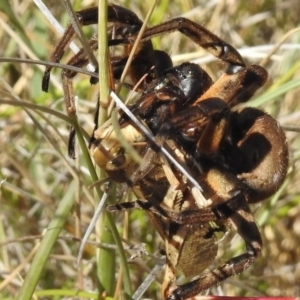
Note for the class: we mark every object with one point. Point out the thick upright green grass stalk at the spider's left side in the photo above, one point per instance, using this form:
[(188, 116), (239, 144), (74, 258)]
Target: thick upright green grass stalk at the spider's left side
[(106, 258)]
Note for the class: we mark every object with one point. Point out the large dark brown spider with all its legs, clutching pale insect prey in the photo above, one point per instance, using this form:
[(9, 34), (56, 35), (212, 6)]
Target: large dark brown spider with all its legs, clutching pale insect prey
[(239, 156)]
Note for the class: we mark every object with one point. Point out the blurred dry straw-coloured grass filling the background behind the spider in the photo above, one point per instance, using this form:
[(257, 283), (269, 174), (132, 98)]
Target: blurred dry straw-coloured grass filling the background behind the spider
[(36, 174)]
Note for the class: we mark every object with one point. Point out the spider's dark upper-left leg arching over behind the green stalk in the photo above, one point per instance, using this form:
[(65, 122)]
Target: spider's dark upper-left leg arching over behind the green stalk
[(126, 24)]
